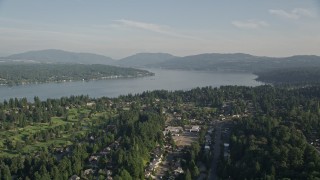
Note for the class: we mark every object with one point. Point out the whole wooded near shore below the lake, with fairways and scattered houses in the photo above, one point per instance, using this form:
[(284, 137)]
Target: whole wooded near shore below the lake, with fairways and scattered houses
[(273, 136)]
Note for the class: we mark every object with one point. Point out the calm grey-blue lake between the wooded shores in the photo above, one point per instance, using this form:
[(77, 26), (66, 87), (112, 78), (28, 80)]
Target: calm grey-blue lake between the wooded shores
[(163, 79)]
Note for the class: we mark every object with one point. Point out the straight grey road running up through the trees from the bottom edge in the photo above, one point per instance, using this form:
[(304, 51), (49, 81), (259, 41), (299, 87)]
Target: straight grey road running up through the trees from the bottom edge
[(217, 142)]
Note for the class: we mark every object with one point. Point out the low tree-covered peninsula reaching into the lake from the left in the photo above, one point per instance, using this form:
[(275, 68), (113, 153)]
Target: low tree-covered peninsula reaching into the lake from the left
[(15, 74)]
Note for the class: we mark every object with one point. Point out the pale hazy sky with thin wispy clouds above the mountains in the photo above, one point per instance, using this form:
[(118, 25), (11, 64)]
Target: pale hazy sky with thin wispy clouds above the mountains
[(180, 27)]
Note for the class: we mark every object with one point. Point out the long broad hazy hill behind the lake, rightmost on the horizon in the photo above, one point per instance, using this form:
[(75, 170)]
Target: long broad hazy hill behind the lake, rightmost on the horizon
[(238, 62)]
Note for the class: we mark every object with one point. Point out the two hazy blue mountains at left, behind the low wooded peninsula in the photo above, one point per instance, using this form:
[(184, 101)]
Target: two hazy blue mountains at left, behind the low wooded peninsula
[(60, 56)]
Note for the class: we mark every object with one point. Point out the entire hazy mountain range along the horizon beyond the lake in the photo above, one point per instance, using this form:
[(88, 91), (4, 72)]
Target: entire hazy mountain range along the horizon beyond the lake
[(210, 61)]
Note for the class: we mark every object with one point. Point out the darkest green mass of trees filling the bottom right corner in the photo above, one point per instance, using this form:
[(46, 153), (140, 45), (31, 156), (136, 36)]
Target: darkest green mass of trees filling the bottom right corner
[(264, 147)]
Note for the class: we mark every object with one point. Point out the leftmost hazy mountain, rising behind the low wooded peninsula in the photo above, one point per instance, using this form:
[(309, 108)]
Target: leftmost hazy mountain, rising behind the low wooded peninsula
[(59, 56)]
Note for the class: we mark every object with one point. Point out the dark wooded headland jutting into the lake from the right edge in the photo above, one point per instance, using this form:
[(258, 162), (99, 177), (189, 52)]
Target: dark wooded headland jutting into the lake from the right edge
[(292, 76)]
